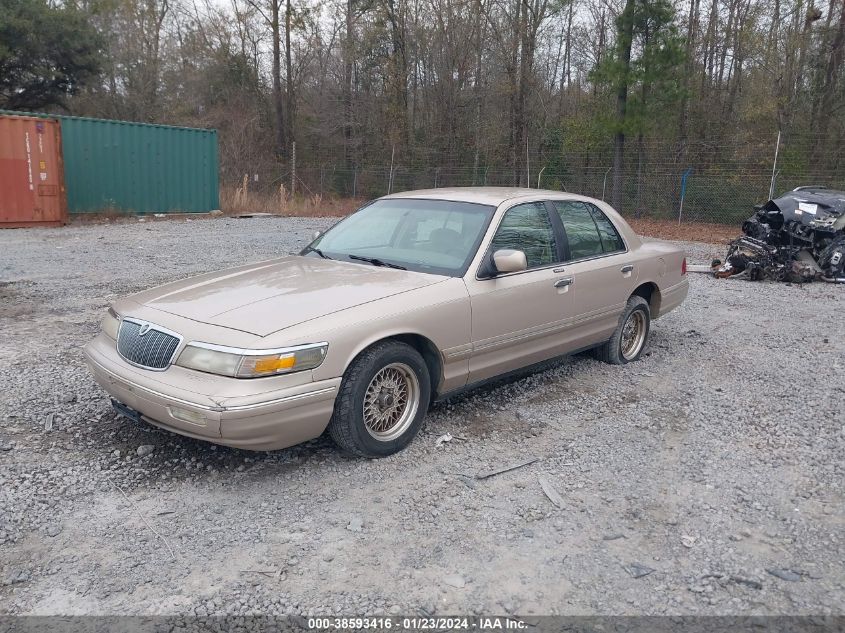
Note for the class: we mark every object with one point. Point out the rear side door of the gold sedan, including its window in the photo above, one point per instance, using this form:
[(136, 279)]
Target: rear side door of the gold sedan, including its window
[(597, 261)]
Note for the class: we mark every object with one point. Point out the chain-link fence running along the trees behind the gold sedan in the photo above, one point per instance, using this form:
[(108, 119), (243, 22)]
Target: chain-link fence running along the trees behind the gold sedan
[(713, 192)]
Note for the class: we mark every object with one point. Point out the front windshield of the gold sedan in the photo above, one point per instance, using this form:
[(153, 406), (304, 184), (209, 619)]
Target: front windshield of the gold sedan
[(431, 236)]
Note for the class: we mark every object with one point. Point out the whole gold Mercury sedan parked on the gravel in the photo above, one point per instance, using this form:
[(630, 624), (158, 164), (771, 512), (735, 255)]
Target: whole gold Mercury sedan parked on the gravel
[(414, 297)]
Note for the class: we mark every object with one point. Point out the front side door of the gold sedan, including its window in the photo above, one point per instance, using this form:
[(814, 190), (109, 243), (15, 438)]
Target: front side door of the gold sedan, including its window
[(518, 318)]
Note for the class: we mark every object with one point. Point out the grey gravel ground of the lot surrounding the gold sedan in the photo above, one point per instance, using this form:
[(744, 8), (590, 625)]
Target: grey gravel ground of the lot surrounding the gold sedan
[(706, 479)]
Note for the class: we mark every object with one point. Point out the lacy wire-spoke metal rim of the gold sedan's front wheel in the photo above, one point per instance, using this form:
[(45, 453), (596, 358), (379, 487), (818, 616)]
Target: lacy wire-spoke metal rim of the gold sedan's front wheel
[(391, 401)]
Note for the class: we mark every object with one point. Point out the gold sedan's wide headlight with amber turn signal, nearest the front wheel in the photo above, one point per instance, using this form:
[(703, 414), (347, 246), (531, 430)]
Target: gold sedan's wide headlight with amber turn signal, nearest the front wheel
[(243, 363)]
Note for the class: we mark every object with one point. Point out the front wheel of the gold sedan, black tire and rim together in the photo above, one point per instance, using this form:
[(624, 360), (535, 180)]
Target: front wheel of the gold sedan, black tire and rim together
[(382, 401)]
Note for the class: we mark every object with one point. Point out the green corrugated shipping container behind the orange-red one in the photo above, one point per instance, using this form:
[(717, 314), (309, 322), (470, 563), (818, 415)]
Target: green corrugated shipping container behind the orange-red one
[(137, 167)]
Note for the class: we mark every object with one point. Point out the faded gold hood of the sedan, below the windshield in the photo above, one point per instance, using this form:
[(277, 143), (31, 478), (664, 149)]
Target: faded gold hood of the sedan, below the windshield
[(270, 296)]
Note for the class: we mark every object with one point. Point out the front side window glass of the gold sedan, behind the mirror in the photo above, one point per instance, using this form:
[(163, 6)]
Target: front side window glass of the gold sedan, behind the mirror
[(526, 227)]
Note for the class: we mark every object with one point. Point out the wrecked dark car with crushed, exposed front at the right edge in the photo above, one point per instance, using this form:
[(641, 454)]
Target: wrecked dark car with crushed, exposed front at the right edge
[(798, 237)]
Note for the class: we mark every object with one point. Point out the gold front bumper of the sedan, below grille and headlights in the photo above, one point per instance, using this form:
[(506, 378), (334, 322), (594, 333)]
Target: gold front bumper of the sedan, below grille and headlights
[(258, 414)]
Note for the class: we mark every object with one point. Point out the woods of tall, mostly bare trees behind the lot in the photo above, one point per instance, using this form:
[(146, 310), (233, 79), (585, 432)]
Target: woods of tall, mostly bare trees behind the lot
[(613, 98)]
